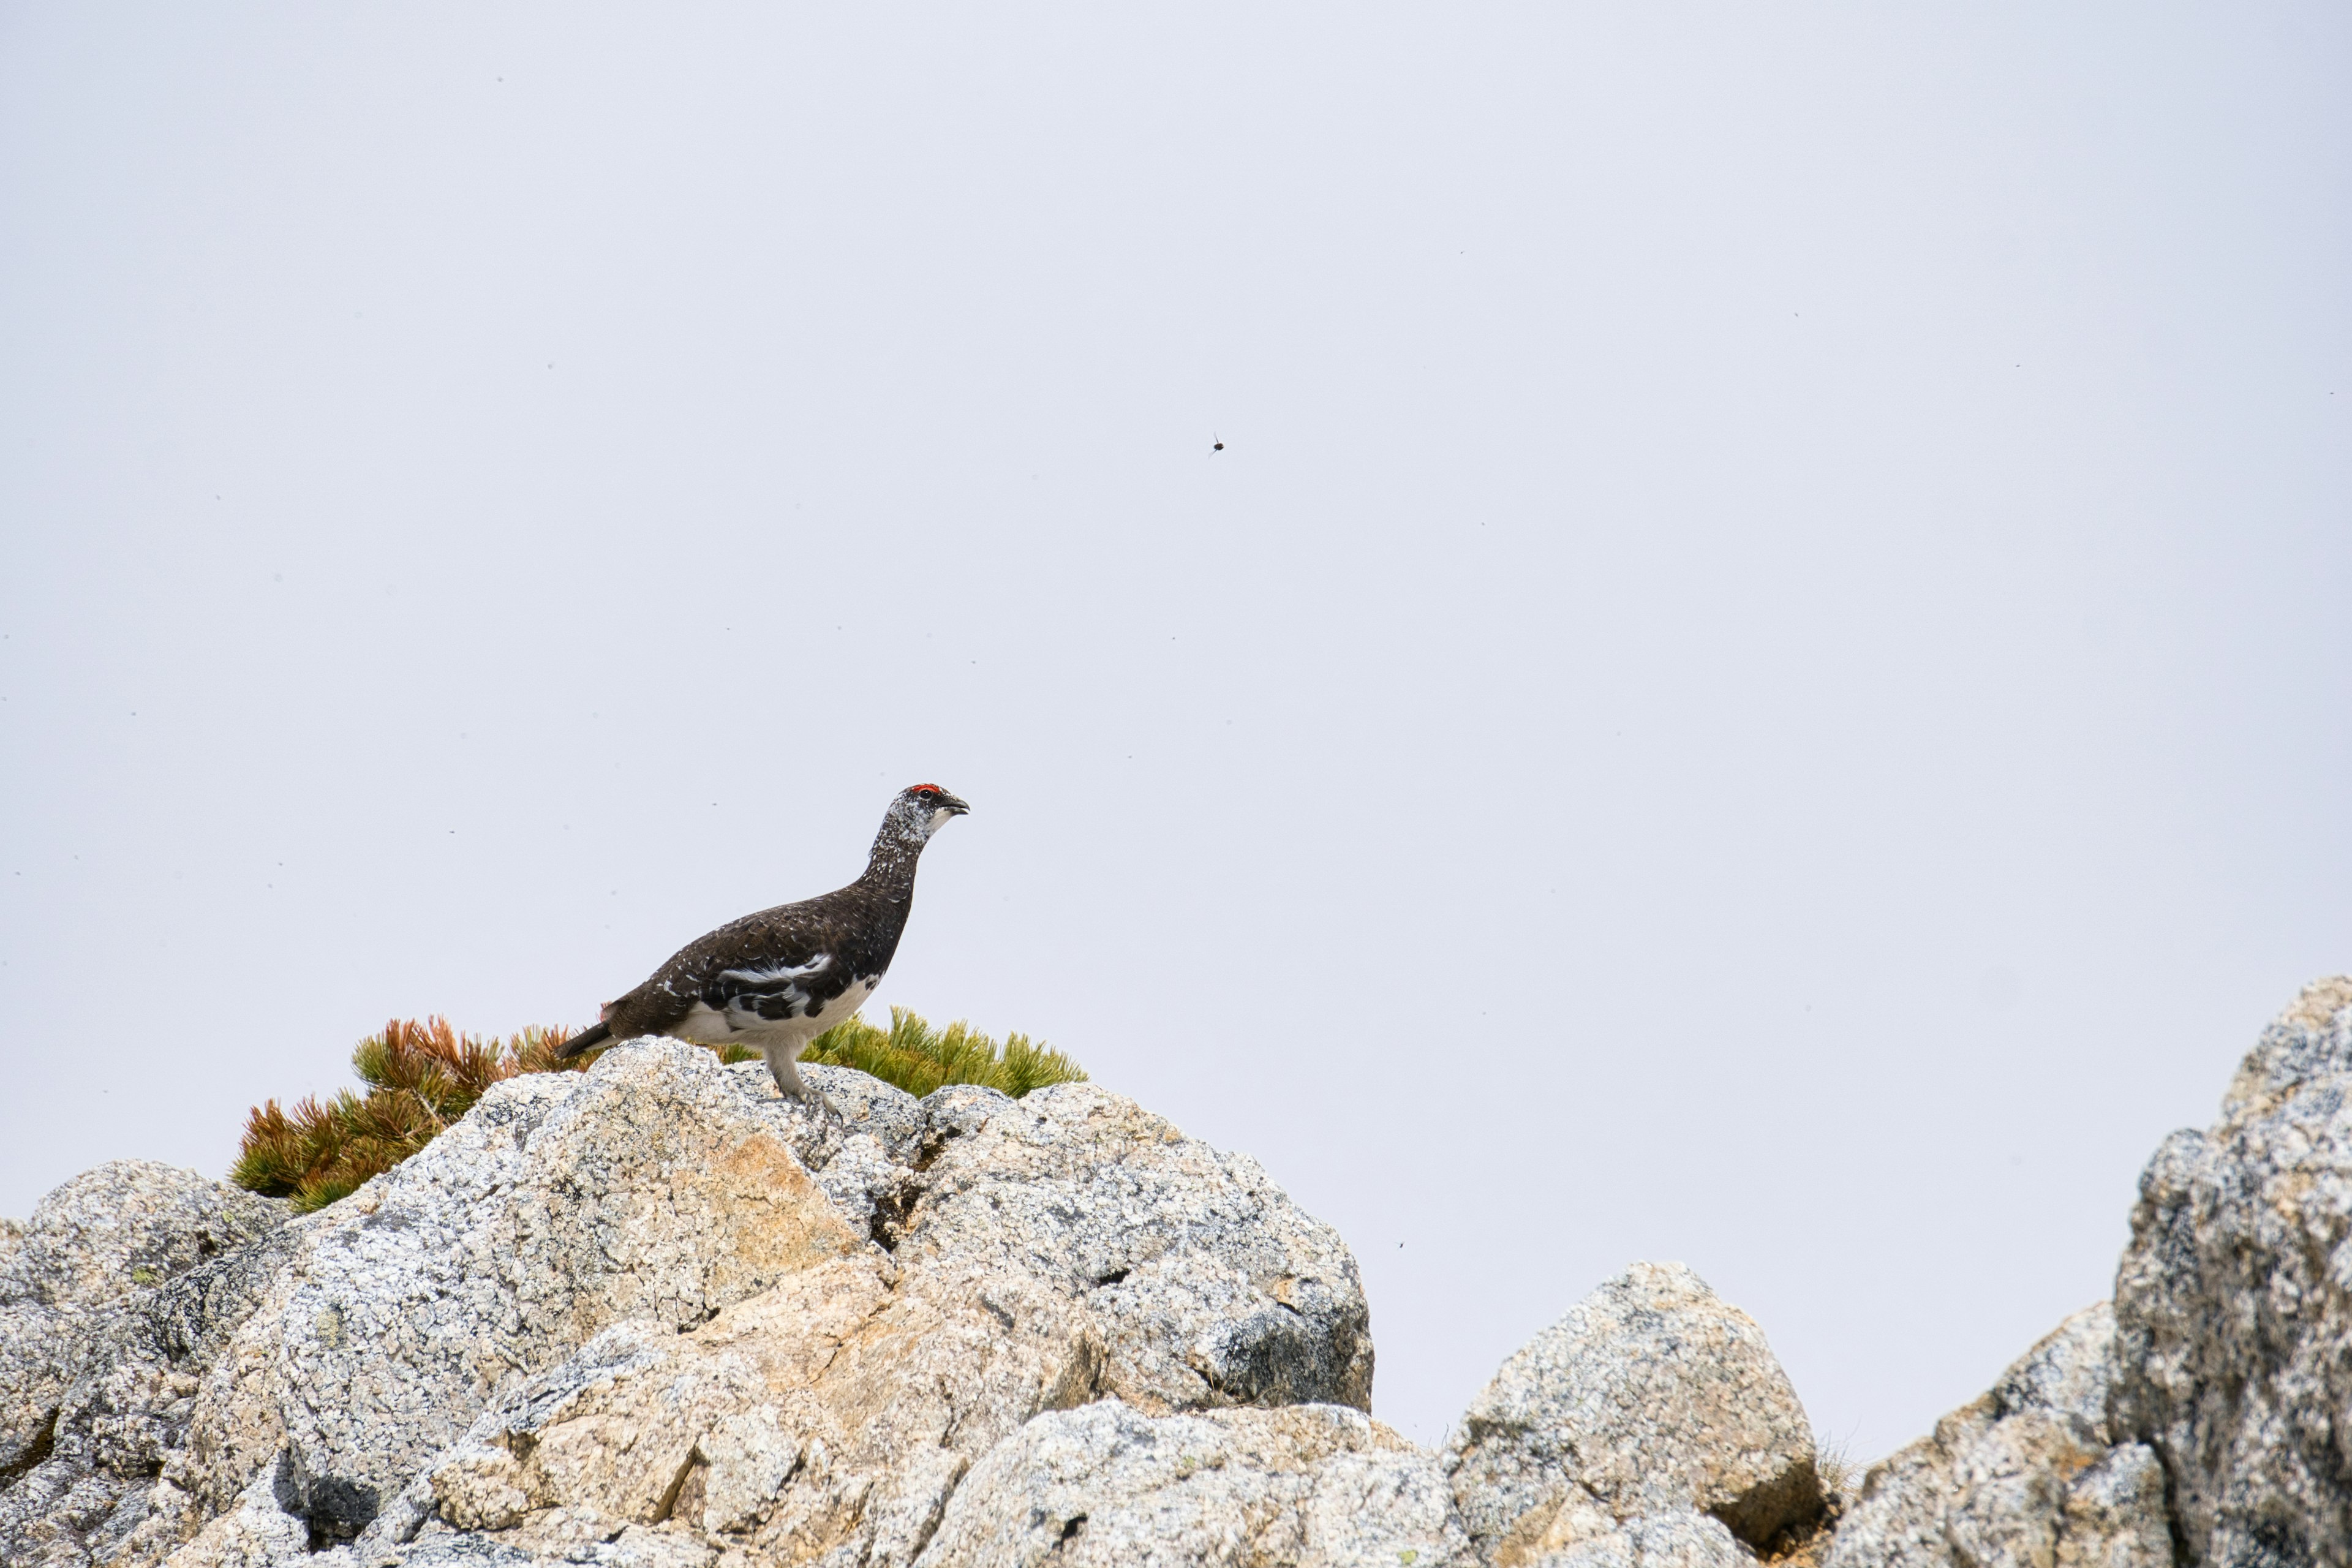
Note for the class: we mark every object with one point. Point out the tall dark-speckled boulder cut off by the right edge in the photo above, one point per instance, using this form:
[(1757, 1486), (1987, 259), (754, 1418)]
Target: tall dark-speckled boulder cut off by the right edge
[(2236, 1304)]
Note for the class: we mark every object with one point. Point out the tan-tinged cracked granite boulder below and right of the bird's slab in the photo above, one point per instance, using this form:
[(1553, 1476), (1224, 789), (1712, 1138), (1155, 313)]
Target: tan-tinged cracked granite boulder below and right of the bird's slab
[(1048, 1252)]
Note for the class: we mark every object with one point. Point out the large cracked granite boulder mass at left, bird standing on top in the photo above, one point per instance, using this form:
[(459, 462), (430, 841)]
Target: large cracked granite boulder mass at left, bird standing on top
[(650, 1313)]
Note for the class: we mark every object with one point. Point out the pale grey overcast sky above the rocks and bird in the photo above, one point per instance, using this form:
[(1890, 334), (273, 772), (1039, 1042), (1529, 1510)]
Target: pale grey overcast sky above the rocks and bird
[(1763, 678)]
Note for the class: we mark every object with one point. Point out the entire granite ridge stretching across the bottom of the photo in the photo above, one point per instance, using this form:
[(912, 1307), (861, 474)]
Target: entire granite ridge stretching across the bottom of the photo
[(657, 1318)]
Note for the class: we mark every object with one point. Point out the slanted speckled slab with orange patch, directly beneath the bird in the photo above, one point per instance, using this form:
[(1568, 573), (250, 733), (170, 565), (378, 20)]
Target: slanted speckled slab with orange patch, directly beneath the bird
[(657, 1186)]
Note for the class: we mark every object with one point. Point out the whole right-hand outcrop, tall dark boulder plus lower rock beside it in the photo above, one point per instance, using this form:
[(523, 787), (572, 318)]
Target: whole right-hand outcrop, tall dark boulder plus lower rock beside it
[(2203, 1419)]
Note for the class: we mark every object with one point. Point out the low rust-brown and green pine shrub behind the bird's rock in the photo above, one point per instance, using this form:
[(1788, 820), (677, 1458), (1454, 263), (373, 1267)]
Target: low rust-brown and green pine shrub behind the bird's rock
[(425, 1076)]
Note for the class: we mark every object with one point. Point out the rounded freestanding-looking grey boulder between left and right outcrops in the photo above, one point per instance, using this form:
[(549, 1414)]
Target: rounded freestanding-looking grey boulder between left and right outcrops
[(1650, 1398)]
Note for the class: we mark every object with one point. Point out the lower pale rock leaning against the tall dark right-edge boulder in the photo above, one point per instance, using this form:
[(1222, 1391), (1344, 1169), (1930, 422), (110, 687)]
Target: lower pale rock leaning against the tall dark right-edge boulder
[(2024, 1477)]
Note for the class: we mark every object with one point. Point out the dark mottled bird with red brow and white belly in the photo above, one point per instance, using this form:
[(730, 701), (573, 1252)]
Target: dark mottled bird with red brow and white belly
[(784, 977)]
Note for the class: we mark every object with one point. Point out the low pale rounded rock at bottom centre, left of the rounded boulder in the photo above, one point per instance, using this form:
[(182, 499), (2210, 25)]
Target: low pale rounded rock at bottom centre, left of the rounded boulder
[(1109, 1487)]
